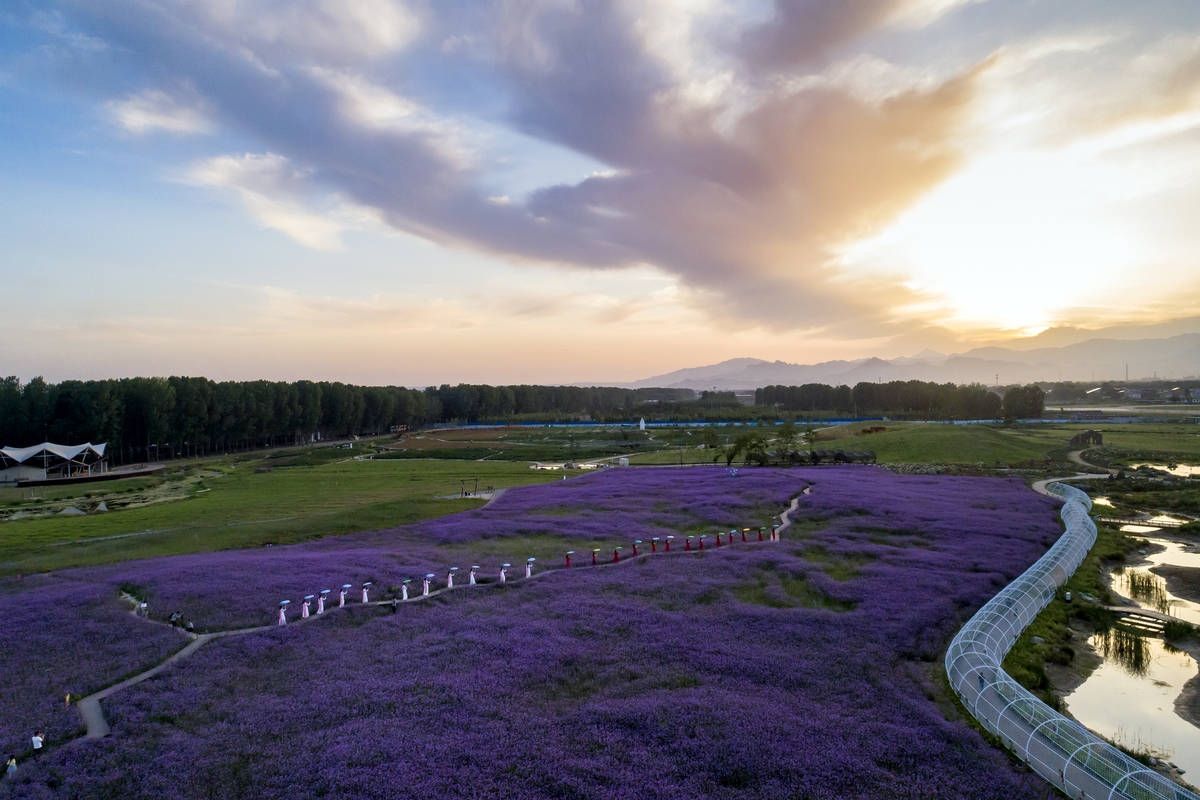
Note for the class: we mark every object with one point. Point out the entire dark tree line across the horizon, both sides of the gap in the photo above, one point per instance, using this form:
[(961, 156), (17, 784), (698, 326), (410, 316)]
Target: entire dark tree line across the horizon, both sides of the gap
[(152, 419)]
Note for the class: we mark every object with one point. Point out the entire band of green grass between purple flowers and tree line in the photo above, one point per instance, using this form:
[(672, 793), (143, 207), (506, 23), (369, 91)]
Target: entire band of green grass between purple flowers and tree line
[(314, 492)]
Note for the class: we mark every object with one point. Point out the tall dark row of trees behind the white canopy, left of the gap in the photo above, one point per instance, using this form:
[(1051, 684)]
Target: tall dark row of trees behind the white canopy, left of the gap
[(153, 419)]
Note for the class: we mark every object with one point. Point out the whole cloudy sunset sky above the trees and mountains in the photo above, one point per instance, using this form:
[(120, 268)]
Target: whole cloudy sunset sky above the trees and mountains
[(568, 191)]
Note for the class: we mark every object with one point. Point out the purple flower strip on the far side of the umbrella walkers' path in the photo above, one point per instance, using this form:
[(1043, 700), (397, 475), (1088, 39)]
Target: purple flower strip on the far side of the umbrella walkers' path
[(243, 588)]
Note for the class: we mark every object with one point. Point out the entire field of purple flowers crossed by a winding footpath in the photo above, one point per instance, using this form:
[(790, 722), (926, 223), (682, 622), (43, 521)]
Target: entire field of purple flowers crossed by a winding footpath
[(803, 669)]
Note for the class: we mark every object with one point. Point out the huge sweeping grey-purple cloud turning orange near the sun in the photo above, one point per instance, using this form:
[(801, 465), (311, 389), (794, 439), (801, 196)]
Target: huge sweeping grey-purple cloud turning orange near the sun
[(743, 151)]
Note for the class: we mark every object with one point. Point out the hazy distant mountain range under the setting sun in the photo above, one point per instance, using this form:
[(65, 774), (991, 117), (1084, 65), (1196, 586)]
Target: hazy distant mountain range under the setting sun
[(1088, 360)]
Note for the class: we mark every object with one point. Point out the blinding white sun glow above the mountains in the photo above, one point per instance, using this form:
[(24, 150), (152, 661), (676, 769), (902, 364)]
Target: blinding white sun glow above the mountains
[(1010, 243)]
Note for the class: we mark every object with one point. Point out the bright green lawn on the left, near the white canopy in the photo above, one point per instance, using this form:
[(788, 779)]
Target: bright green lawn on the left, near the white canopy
[(231, 508)]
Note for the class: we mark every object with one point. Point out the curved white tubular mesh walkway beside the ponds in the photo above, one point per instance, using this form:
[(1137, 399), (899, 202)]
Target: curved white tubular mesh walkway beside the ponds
[(1060, 750)]
